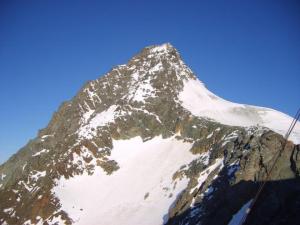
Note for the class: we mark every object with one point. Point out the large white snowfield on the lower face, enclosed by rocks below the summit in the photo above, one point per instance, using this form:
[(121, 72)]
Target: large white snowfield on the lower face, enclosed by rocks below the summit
[(140, 192)]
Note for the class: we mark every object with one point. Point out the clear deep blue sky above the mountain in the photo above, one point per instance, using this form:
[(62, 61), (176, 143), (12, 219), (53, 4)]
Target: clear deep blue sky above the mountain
[(245, 51)]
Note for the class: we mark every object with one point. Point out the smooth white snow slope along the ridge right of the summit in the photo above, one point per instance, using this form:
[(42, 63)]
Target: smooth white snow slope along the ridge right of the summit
[(203, 103)]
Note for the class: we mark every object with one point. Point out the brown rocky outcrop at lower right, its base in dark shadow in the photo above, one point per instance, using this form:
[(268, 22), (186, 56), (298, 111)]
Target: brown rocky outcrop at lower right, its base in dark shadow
[(247, 161)]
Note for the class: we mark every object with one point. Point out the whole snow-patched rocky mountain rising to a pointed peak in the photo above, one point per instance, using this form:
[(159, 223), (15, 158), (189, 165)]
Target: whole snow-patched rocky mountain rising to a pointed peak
[(129, 148)]
